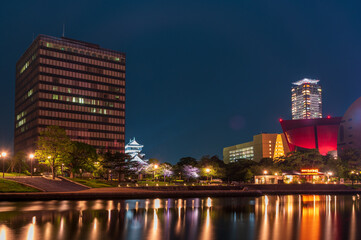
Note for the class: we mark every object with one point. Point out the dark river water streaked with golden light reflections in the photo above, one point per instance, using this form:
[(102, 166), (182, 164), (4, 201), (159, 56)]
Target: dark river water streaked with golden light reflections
[(302, 217)]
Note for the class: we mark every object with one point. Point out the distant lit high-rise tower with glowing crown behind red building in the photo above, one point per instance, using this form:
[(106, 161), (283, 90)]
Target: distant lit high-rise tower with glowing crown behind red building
[(306, 99)]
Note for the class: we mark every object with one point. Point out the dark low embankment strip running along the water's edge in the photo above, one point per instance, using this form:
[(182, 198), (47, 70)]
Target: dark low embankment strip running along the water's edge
[(47, 196)]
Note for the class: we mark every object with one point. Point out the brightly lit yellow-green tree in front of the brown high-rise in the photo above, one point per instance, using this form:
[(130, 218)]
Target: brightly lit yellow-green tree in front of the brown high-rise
[(53, 147)]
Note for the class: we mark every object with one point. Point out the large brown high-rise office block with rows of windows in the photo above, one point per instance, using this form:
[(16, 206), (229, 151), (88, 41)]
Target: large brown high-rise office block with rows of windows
[(76, 85)]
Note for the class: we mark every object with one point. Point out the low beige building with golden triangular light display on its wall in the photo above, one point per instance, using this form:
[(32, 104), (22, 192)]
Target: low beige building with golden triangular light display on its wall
[(264, 145)]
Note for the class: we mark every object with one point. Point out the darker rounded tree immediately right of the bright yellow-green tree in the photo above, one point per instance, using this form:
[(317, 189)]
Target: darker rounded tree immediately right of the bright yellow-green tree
[(81, 156)]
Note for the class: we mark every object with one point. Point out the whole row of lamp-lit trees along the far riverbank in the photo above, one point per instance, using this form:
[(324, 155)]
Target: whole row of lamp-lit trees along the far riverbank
[(58, 155)]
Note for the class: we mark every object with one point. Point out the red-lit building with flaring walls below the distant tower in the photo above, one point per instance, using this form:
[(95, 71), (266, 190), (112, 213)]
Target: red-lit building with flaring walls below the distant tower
[(319, 133)]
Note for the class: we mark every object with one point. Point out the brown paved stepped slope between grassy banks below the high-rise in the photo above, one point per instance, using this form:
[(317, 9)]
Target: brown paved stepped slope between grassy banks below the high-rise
[(49, 185)]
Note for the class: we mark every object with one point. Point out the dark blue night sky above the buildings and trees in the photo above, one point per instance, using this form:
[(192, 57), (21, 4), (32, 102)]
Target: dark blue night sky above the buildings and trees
[(201, 75)]
